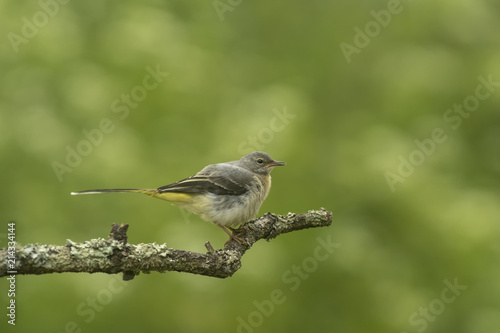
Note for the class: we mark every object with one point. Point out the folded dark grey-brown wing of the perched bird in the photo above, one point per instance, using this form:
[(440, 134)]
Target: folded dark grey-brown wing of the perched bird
[(222, 179)]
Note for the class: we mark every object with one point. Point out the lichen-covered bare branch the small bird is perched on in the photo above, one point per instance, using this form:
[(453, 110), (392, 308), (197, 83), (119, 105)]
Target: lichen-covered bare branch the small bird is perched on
[(115, 255)]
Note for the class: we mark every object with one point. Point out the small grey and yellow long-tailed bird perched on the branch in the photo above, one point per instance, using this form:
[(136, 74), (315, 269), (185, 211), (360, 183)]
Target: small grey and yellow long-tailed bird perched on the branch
[(226, 194)]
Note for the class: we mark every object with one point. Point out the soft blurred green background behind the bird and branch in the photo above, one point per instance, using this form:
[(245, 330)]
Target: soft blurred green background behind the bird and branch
[(346, 121)]
